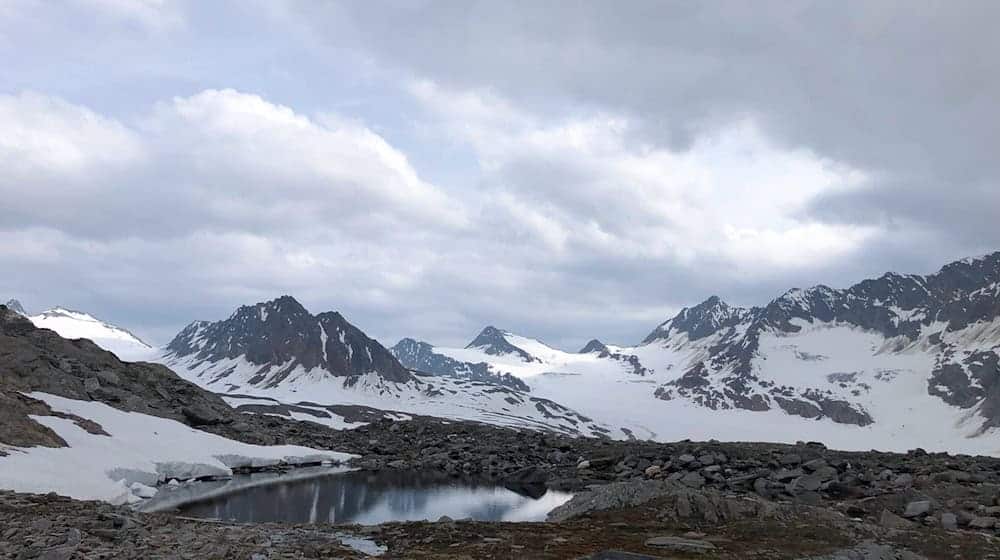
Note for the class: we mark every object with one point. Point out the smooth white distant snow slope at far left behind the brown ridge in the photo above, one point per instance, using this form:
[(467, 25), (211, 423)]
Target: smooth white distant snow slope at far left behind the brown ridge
[(77, 324)]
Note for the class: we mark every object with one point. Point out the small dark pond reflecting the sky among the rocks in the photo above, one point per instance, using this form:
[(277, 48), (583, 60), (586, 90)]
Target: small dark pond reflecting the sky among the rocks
[(366, 498)]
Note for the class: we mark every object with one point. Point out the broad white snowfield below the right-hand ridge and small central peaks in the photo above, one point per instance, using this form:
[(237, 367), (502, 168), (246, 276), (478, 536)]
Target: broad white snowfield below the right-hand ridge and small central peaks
[(848, 362)]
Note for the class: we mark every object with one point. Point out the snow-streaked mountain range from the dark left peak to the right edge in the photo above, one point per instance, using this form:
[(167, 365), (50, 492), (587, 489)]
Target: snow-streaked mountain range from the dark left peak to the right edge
[(899, 361)]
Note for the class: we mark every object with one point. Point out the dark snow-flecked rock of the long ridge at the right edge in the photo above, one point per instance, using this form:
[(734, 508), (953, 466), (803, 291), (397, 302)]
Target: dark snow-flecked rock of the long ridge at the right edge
[(896, 306)]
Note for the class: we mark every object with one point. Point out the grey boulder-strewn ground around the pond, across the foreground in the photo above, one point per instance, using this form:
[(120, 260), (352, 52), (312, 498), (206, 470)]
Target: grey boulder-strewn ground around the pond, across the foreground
[(681, 500)]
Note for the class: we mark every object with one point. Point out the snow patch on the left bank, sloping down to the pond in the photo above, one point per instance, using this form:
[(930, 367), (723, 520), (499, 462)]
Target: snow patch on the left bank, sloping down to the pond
[(141, 449)]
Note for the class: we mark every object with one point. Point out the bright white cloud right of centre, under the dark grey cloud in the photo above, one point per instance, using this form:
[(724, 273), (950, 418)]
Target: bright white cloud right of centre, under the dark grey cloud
[(589, 183)]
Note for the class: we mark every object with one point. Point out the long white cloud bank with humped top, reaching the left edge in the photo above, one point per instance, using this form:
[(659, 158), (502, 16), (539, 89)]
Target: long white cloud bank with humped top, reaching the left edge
[(217, 159)]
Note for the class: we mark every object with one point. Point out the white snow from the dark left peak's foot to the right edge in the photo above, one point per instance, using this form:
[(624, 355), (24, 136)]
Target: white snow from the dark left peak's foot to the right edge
[(886, 377)]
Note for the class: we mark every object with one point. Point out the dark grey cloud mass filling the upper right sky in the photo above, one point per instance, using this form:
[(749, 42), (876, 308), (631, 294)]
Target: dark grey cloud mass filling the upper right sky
[(901, 92)]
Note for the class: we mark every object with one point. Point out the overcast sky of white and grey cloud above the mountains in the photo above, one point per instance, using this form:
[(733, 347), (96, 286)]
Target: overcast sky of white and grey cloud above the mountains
[(564, 170)]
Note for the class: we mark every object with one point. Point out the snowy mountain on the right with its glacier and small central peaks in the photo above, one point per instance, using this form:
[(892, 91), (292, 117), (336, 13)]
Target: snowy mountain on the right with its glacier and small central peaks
[(900, 361)]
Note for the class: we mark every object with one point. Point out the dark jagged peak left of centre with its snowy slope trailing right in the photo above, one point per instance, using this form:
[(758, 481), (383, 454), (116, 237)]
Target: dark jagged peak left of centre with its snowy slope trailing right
[(278, 350)]
